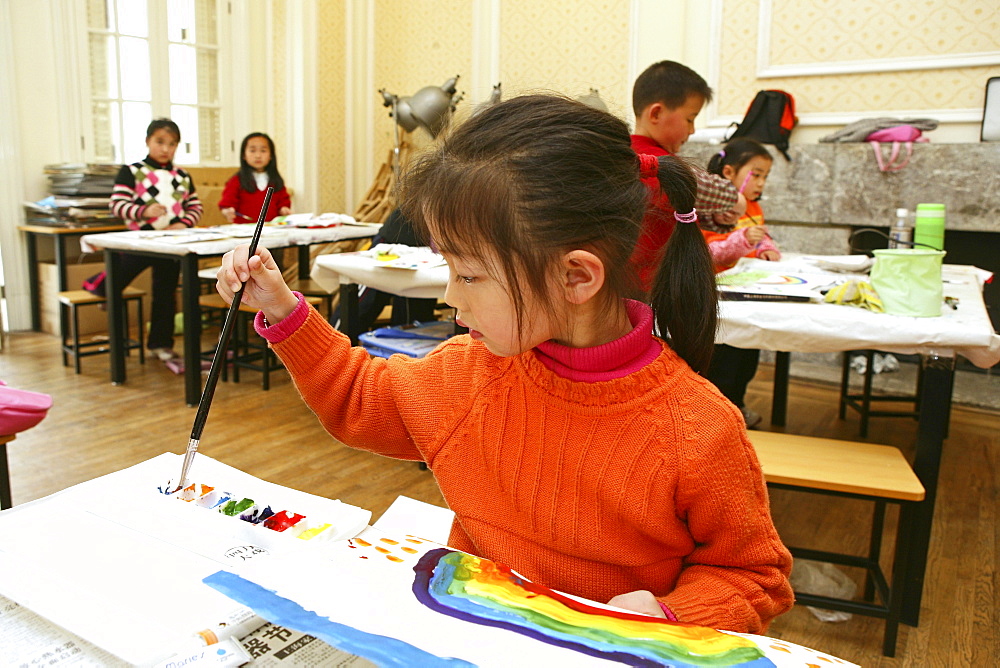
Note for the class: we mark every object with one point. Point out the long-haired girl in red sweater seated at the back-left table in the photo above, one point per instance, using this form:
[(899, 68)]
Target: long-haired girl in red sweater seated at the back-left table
[(243, 195)]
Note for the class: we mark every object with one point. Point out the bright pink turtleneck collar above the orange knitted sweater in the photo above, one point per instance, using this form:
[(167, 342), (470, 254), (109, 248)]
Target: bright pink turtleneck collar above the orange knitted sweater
[(608, 361)]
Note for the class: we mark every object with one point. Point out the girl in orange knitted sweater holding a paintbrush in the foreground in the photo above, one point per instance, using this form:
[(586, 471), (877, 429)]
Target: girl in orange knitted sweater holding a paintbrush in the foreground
[(572, 443)]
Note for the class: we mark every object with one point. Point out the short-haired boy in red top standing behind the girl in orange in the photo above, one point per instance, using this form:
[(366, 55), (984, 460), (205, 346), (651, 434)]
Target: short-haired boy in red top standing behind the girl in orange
[(666, 99)]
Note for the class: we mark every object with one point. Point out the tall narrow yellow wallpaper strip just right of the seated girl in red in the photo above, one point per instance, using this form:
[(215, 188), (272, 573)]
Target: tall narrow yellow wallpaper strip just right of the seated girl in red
[(331, 72)]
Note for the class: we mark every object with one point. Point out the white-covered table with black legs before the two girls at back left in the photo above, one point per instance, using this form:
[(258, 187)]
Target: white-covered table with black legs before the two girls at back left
[(115, 245)]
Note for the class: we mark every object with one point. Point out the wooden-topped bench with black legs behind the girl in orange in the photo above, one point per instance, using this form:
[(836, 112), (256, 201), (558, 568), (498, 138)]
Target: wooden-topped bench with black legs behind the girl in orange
[(878, 473)]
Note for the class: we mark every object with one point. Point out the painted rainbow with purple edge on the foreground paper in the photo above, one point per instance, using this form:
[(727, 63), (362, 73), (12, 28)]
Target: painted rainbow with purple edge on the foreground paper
[(484, 592)]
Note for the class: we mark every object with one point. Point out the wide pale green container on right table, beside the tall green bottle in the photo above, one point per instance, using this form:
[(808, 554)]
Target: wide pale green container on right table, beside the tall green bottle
[(908, 281)]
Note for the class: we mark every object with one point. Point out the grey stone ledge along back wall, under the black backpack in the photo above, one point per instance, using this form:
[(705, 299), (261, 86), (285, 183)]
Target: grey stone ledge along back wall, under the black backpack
[(840, 184)]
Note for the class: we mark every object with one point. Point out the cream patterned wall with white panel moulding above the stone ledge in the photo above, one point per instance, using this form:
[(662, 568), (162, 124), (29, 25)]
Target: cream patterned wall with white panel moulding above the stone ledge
[(854, 59)]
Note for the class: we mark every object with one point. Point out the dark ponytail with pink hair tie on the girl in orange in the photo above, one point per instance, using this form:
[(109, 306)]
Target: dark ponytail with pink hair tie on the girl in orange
[(684, 296)]
